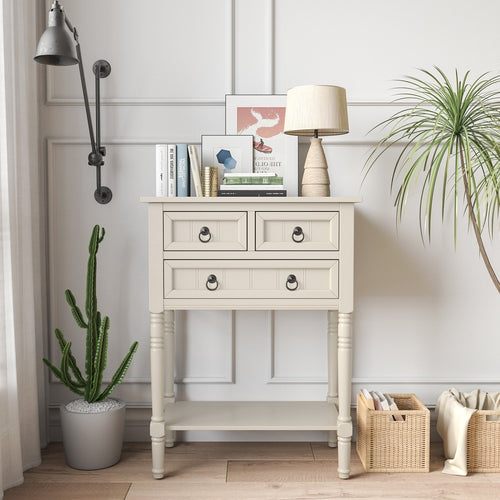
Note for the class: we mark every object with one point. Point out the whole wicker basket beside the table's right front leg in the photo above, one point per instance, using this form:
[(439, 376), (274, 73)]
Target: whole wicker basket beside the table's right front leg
[(387, 445)]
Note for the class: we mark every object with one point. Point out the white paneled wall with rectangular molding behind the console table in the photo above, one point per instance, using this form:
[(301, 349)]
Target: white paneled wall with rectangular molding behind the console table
[(427, 317)]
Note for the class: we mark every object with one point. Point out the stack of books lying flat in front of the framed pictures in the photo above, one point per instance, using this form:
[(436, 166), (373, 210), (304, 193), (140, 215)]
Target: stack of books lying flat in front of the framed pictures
[(252, 184)]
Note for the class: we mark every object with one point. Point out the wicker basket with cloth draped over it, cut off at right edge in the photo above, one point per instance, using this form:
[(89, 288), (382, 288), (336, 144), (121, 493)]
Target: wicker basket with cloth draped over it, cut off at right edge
[(483, 441)]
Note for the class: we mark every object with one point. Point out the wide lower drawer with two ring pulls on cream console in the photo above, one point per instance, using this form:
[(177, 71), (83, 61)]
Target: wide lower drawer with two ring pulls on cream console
[(231, 279)]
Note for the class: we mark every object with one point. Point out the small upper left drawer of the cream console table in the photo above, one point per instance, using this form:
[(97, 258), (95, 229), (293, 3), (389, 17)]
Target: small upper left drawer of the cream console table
[(186, 231)]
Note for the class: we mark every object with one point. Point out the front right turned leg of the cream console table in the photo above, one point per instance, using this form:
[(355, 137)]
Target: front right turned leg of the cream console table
[(344, 429)]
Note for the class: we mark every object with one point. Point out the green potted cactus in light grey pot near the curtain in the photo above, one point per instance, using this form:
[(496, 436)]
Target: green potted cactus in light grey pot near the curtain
[(92, 425)]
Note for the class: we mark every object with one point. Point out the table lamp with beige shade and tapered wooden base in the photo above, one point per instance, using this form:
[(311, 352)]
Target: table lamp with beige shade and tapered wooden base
[(311, 111)]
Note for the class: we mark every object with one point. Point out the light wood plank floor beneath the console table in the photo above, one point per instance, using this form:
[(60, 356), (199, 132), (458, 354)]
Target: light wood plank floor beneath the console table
[(243, 471)]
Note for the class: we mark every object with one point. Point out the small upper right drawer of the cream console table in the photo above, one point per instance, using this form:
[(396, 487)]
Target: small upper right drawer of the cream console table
[(316, 231)]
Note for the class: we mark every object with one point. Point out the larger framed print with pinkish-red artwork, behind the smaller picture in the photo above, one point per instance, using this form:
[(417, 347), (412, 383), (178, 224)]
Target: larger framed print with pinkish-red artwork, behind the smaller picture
[(263, 116)]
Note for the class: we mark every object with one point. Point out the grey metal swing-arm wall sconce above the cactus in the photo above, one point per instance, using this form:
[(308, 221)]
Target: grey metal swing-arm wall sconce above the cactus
[(57, 48)]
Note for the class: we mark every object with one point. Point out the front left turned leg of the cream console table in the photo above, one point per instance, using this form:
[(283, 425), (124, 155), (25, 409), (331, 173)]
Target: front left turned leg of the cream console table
[(157, 426)]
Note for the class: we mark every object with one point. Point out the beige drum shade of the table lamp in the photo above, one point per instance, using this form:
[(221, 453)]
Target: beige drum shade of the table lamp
[(316, 107)]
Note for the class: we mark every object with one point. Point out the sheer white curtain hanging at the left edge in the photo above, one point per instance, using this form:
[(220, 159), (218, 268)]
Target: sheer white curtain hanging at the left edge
[(21, 318)]
